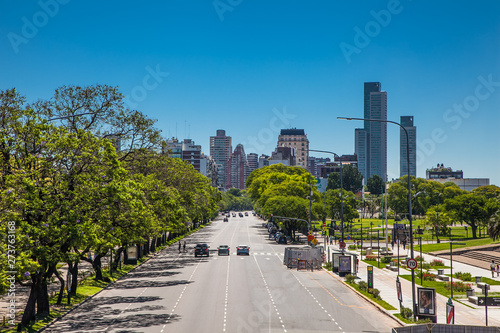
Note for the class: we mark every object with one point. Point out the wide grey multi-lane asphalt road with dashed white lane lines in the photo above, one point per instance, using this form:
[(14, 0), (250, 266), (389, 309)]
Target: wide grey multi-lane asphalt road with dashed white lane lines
[(180, 293)]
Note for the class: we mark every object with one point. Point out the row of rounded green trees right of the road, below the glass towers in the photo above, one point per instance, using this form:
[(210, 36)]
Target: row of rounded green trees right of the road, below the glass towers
[(285, 191)]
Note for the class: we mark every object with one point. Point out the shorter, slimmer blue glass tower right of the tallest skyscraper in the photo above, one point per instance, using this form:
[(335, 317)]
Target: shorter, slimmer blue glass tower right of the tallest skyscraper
[(407, 123)]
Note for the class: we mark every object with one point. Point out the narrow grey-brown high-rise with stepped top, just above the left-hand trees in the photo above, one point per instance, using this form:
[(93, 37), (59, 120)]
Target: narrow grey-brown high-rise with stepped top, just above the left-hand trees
[(220, 150)]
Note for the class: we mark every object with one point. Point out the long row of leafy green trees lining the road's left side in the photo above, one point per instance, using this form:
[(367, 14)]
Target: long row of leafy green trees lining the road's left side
[(67, 190)]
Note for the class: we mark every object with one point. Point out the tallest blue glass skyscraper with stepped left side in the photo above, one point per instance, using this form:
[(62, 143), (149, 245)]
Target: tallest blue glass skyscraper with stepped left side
[(371, 141)]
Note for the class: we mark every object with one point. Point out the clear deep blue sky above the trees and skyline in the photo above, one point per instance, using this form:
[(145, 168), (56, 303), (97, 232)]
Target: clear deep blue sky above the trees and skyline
[(253, 67)]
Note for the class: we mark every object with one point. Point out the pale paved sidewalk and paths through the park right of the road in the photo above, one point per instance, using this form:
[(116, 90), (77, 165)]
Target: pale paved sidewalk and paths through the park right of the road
[(466, 313)]
